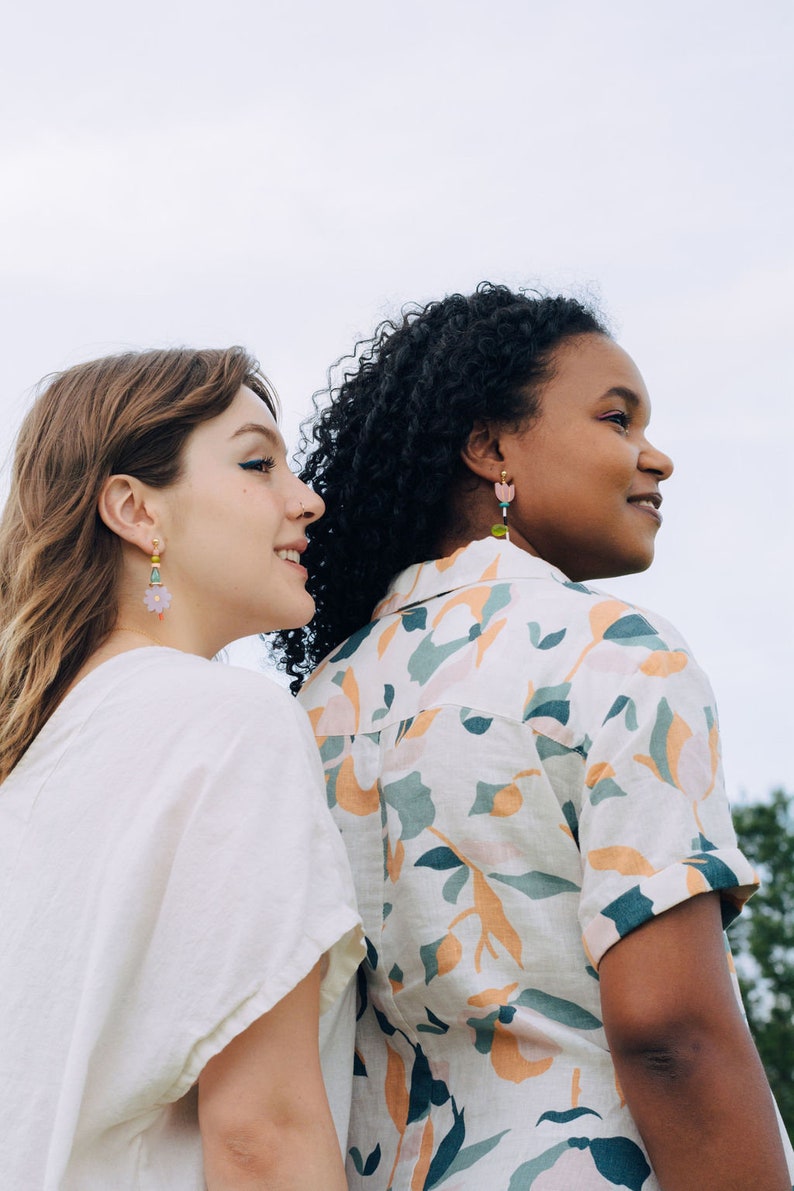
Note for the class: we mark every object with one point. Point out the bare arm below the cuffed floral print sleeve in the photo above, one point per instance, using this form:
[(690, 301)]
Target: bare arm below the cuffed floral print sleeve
[(685, 1058)]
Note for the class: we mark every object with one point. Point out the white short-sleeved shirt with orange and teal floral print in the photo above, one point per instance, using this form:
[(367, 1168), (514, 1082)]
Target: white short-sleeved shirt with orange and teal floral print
[(524, 770)]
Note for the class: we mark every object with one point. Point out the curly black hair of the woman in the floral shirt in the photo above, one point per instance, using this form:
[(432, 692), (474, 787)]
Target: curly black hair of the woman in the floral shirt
[(385, 454)]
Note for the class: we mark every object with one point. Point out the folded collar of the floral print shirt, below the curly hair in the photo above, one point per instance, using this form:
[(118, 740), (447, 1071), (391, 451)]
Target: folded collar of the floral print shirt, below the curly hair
[(487, 560)]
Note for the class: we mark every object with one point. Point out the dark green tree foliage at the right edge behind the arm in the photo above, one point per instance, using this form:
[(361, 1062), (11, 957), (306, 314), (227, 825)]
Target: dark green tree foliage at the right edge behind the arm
[(764, 941)]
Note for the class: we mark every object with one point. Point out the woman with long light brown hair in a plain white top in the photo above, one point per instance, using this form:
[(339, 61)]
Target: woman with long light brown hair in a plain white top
[(177, 905)]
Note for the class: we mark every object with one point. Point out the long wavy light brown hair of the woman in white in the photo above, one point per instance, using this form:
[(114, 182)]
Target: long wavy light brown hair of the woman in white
[(128, 415)]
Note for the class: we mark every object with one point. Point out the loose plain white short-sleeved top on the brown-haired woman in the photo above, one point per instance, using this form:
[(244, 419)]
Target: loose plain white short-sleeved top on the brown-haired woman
[(168, 872)]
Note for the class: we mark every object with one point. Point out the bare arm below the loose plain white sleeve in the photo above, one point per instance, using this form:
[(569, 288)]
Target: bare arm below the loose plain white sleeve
[(264, 1114)]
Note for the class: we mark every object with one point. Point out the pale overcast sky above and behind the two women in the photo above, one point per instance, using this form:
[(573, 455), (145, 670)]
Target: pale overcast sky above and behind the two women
[(285, 177)]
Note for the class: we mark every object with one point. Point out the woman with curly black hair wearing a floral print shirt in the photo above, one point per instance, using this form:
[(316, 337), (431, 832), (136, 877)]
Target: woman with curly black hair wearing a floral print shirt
[(526, 772)]
